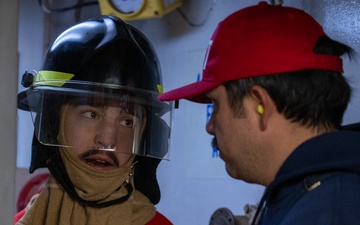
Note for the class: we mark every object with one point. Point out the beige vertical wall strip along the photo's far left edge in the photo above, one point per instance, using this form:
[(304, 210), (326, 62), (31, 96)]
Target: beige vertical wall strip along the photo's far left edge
[(8, 90)]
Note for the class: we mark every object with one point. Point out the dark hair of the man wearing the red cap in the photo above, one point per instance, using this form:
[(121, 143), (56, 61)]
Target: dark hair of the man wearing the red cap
[(311, 97)]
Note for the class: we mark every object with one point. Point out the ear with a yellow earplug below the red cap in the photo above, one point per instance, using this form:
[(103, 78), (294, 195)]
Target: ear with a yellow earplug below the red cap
[(263, 105)]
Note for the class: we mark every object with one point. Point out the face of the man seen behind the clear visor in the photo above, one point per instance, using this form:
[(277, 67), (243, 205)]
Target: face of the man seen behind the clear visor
[(89, 128)]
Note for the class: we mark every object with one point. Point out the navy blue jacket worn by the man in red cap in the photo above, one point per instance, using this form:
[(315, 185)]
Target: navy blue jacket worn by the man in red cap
[(318, 184)]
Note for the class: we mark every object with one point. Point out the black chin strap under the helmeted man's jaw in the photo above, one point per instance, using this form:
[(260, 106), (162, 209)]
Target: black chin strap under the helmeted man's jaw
[(57, 168)]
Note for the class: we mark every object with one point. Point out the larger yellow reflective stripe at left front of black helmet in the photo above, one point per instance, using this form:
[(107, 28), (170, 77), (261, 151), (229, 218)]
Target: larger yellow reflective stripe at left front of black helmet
[(53, 78)]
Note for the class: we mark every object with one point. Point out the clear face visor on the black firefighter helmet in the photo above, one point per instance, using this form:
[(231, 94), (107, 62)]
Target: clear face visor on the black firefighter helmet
[(87, 117)]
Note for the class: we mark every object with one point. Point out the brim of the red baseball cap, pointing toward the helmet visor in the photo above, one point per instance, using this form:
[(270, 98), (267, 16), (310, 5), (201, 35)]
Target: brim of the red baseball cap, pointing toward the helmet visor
[(193, 92)]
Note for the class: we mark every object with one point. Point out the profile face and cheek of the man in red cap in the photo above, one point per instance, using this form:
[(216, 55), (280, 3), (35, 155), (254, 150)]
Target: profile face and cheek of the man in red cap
[(236, 136)]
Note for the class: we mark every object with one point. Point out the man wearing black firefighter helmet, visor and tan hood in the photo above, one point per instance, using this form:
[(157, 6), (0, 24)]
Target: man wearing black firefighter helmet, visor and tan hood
[(98, 127)]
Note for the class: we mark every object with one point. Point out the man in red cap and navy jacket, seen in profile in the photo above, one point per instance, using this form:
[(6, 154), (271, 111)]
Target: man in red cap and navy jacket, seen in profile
[(275, 80)]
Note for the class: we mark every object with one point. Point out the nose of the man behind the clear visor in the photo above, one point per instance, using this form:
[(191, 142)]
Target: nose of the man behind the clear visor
[(106, 136)]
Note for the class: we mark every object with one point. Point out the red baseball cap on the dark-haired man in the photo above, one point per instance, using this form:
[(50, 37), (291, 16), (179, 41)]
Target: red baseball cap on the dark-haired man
[(255, 41)]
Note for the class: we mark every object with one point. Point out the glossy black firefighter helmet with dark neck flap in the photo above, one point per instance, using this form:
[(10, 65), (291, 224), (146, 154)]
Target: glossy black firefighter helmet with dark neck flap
[(104, 57)]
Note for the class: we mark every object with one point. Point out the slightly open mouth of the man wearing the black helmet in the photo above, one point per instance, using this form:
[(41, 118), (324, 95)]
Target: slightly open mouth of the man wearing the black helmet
[(100, 160)]
